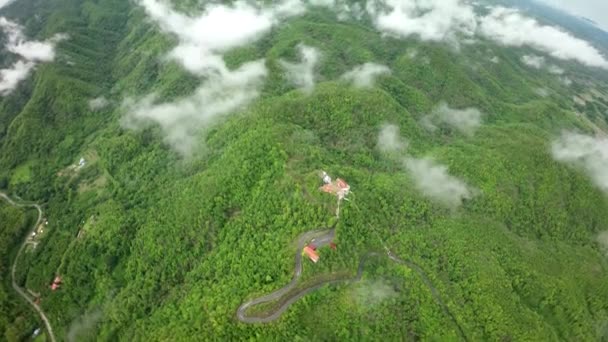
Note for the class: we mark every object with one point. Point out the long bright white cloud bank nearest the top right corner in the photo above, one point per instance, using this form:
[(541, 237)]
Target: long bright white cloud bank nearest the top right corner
[(510, 28)]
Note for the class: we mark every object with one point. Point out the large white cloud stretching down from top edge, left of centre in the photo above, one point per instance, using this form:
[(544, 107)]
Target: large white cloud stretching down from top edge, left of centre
[(202, 39)]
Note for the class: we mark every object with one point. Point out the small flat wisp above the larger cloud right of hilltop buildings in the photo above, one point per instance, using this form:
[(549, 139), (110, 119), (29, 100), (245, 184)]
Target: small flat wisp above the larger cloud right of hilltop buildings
[(465, 121)]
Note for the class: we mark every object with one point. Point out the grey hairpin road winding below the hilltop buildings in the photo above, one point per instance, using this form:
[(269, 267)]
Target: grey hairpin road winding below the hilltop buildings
[(323, 237)]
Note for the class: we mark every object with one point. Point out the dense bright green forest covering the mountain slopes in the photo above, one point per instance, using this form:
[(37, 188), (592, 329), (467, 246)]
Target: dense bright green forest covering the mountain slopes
[(167, 249)]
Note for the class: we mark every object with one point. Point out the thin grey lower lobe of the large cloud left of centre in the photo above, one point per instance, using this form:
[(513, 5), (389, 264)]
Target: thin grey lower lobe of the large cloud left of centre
[(182, 120)]
